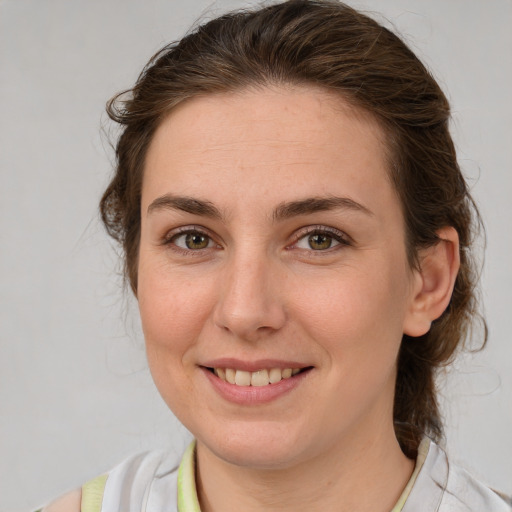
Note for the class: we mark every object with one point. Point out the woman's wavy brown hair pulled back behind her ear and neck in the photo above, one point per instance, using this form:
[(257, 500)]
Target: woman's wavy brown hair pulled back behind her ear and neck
[(330, 45)]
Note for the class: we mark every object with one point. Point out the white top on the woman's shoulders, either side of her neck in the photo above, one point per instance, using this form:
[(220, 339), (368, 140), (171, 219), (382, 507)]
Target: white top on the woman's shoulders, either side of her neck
[(149, 483)]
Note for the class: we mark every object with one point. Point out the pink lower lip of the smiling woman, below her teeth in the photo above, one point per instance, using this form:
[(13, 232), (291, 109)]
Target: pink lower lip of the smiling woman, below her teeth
[(253, 395)]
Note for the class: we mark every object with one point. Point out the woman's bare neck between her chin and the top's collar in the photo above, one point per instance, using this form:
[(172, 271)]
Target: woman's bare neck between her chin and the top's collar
[(356, 475)]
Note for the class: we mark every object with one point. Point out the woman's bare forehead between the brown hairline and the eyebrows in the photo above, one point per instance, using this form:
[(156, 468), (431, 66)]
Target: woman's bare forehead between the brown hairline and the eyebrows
[(267, 142)]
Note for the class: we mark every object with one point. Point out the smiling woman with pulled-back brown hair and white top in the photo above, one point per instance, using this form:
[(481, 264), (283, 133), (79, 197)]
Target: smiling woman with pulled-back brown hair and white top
[(297, 233)]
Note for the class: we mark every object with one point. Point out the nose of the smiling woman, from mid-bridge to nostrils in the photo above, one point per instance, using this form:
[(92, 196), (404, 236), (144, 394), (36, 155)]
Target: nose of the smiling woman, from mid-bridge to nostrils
[(250, 304)]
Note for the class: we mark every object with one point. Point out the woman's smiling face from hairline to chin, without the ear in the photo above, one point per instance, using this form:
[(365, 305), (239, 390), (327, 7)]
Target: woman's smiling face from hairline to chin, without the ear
[(272, 240)]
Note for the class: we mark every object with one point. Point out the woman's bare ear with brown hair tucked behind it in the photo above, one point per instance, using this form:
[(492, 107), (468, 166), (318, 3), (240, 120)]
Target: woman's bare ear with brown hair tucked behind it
[(433, 283)]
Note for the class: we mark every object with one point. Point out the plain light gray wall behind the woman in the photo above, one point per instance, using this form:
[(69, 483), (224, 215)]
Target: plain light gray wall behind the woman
[(75, 393)]
